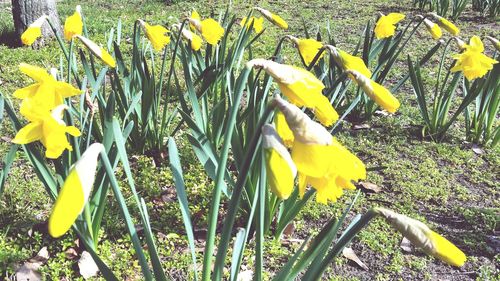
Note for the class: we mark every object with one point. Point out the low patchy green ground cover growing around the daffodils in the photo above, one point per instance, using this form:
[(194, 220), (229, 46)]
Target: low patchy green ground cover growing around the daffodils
[(448, 185)]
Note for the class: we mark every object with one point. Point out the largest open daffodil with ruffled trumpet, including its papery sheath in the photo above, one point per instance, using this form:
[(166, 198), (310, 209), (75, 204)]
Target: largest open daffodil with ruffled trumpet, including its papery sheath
[(321, 160)]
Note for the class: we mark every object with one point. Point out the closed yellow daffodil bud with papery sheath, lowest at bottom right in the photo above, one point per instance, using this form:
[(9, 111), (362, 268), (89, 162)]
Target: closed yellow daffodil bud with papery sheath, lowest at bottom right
[(423, 237)]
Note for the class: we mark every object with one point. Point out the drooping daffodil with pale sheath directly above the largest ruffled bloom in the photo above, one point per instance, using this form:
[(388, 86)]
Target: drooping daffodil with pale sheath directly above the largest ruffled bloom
[(301, 87)]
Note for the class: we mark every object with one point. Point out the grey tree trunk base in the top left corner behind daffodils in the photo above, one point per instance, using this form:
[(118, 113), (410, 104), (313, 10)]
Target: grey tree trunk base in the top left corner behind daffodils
[(25, 12)]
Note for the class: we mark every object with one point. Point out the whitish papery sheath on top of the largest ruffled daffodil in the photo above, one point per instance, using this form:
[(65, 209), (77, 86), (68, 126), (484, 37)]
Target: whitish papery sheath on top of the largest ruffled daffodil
[(304, 129)]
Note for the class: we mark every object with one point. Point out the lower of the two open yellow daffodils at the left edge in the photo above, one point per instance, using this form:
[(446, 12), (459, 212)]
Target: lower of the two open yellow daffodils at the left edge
[(49, 128)]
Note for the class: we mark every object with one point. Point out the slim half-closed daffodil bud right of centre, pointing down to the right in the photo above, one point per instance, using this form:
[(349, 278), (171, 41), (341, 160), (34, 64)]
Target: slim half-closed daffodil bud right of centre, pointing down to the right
[(376, 92)]
